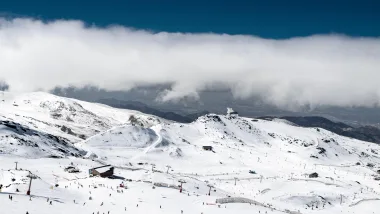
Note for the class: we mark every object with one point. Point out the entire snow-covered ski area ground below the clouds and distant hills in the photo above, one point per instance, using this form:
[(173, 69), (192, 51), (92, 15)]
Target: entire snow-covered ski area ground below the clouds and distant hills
[(152, 155)]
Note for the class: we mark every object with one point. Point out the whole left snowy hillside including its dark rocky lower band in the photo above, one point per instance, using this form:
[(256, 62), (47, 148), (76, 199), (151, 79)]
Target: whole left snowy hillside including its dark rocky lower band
[(60, 120)]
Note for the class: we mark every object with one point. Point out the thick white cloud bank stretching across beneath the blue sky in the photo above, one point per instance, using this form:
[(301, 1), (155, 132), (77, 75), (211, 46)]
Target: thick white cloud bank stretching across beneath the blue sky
[(316, 70)]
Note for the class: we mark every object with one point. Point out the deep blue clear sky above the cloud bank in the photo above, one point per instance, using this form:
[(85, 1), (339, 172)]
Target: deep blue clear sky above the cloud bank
[(268, 19)]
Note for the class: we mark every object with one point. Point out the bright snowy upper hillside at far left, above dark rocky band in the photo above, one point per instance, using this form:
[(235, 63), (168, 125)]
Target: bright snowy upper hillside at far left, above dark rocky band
[(74, 119)]
